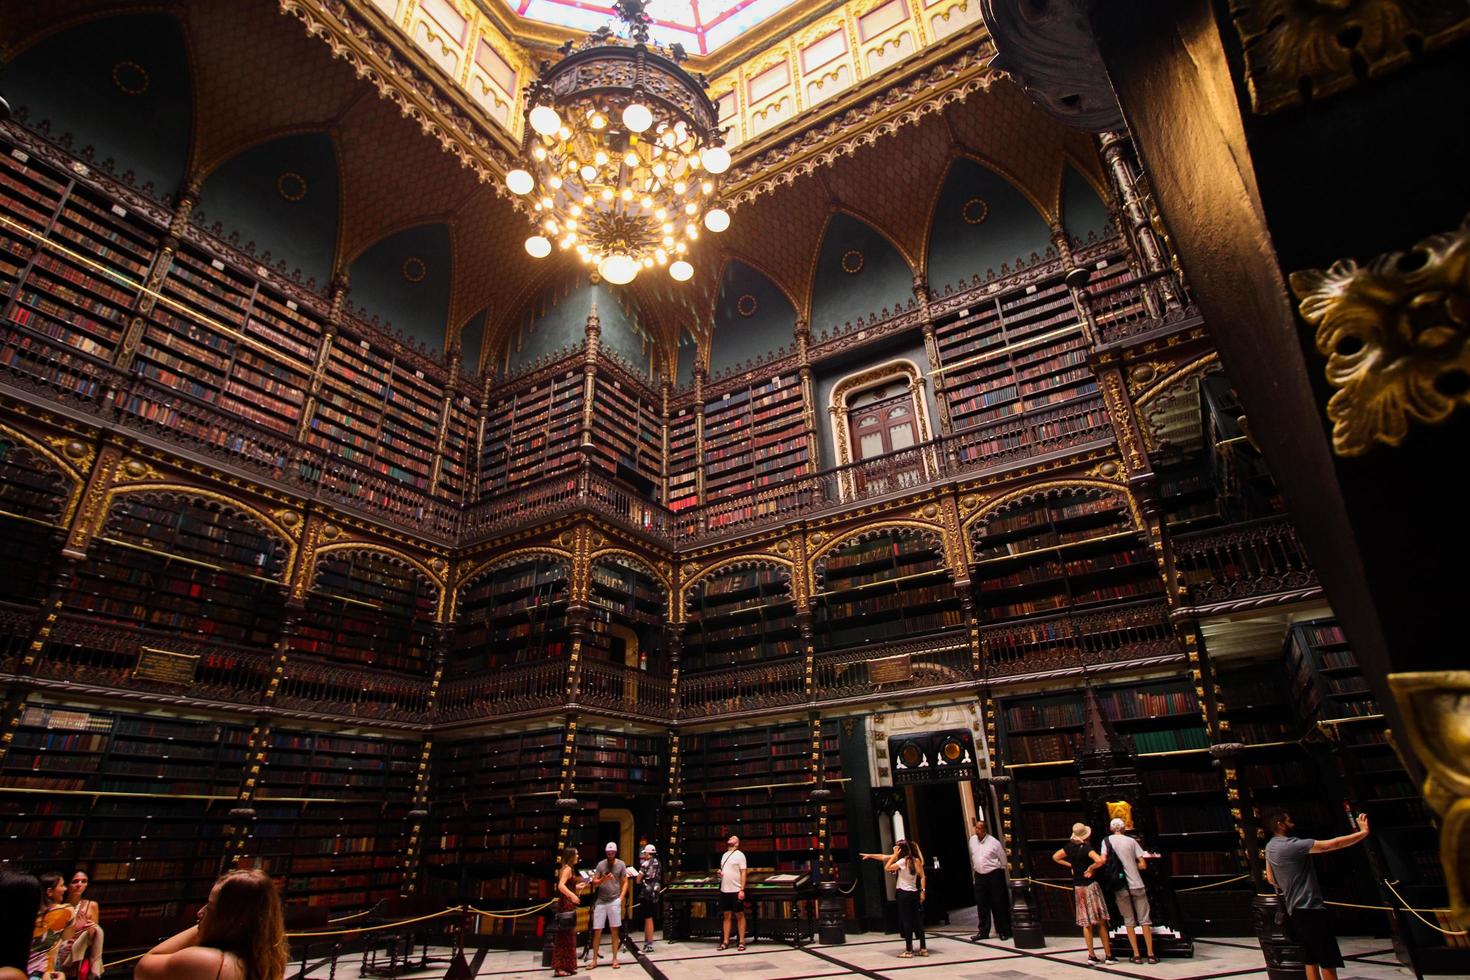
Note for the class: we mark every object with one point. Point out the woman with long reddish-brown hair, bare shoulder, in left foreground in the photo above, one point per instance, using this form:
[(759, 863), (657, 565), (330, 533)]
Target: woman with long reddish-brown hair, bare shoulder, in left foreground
[(240, 937)]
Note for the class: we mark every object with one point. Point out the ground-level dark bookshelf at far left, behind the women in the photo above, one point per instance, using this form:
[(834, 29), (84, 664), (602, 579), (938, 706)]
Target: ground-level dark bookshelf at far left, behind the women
[(137, 800)]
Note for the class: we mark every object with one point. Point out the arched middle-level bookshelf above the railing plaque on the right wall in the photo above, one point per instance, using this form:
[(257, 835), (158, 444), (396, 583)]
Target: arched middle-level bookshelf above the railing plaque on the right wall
[(884, 586)]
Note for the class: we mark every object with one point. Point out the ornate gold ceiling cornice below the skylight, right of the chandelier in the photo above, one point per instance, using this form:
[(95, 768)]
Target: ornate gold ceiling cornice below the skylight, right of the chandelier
[(949, 74)]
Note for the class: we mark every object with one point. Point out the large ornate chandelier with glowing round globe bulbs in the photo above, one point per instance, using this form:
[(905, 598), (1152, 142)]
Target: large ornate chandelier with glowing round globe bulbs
[(623, 156)]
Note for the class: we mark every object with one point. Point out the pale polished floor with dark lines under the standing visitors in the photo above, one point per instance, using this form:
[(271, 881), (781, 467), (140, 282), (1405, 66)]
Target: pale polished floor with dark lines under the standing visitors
[(953, 956)]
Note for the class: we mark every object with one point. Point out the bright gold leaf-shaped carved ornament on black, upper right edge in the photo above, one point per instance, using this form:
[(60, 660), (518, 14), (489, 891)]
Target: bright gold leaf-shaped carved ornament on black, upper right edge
[(1397, 339)]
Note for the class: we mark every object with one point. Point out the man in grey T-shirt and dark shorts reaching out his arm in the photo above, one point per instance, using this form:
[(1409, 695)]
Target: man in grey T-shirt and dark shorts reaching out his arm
[(1290, 871)]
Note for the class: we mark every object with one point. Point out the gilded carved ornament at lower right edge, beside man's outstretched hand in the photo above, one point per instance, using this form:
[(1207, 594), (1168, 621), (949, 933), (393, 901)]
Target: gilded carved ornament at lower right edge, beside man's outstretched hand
[(1437, 718)]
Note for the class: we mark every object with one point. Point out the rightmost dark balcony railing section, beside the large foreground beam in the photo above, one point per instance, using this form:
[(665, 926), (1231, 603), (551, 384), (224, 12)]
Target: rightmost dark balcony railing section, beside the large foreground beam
[(1246, 565)]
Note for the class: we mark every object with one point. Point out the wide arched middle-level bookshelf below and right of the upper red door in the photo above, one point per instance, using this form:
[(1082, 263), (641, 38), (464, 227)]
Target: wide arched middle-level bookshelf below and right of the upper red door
[(1062, 550)]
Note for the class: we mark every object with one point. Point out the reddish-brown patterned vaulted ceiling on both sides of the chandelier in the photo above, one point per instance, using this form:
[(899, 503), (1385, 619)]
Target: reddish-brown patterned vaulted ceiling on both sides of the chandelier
[(258, 76)]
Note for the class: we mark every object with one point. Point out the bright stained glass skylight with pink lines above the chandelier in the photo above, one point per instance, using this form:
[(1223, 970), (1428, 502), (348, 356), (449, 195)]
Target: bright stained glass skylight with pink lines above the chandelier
[(699, 26)]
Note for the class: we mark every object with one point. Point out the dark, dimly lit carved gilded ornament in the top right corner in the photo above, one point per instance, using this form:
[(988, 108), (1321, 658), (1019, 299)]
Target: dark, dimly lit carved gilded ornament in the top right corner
[(1309, 49)]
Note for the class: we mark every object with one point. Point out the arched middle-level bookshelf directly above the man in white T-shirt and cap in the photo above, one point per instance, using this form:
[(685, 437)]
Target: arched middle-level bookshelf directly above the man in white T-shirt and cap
[(740, 616)]
